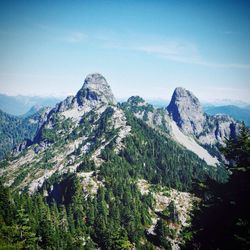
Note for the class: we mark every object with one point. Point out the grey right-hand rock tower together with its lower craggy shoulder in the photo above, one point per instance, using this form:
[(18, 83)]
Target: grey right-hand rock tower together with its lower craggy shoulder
[(185, 109)]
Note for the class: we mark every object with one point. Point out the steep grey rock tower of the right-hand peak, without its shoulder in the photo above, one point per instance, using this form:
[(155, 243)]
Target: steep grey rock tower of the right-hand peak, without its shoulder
[(186, 111)]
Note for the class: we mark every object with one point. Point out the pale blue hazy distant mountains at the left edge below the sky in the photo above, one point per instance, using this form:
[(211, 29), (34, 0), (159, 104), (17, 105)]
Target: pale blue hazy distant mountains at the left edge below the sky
[(20, 105)]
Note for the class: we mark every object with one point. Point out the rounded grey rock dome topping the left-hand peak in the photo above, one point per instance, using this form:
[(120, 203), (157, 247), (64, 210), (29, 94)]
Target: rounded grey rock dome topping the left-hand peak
[(95, 89)]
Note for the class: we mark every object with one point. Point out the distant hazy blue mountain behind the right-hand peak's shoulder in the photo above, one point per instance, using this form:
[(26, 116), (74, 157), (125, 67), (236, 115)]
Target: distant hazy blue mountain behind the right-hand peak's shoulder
[(238, 113)]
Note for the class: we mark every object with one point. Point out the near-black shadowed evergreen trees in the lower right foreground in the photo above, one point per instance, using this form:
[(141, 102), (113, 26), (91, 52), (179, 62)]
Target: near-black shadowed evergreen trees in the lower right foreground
[(224, 220)]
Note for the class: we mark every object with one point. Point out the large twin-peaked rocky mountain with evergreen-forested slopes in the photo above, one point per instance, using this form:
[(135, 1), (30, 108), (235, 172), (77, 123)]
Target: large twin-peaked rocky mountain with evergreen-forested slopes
[(98, 174)]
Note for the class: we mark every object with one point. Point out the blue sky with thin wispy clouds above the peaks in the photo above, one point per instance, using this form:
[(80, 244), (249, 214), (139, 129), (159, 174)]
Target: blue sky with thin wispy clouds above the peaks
[(144, 48)]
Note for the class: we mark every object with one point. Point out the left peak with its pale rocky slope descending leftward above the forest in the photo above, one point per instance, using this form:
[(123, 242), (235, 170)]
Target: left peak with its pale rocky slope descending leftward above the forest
[(83, 124)]
